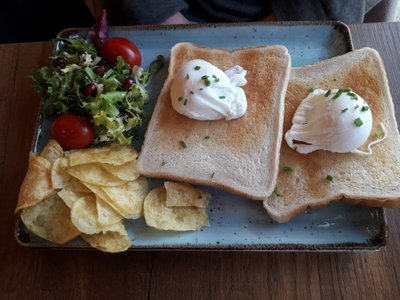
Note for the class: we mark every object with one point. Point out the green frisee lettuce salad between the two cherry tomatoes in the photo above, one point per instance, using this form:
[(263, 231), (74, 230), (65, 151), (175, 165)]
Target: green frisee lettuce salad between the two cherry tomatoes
[(113, 112)]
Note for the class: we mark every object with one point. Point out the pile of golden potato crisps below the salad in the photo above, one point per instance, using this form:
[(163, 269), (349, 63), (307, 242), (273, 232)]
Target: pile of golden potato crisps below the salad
[(90, 192)]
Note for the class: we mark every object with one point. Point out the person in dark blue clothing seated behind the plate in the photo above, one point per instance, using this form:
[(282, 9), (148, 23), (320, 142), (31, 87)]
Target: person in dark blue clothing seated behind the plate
[(184, 12)]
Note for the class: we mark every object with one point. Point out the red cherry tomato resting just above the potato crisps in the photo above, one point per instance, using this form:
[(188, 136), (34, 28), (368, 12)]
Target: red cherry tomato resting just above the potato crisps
[(72, 132)]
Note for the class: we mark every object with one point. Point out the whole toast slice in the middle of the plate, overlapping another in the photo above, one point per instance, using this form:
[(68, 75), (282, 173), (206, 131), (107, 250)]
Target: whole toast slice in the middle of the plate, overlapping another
[(241, 155)]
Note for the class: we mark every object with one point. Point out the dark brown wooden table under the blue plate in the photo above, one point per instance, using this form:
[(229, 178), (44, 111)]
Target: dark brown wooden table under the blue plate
[(52, 274)]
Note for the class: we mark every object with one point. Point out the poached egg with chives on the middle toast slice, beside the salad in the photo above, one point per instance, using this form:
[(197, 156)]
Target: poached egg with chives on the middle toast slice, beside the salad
[(202, 91)]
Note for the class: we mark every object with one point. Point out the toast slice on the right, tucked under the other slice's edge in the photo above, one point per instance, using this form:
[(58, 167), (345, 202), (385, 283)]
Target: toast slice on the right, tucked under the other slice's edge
[(371, 180)]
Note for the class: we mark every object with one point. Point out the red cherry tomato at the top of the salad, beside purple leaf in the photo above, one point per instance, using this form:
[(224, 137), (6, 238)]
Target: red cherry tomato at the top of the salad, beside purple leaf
[(119, 46)]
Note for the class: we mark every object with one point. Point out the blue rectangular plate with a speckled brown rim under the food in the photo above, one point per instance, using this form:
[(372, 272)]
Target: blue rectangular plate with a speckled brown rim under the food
[(236, 223)]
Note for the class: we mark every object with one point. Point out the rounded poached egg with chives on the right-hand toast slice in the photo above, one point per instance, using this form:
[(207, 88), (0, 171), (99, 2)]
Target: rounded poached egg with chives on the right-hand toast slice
[(336, 120)]
